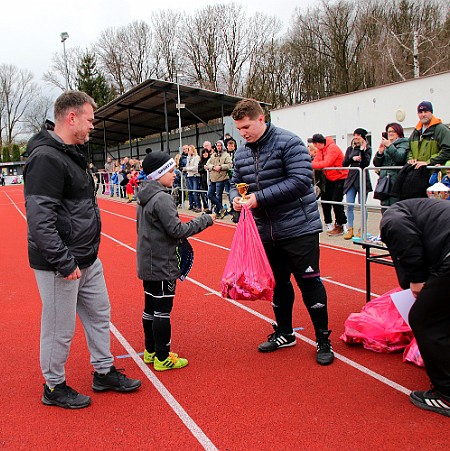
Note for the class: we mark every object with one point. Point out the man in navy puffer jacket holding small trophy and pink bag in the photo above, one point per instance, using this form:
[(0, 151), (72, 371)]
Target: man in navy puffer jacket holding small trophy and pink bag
[(277, 167)]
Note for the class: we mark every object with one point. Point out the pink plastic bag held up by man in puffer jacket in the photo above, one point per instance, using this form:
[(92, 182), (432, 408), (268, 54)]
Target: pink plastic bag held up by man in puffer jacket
[(247, 275)]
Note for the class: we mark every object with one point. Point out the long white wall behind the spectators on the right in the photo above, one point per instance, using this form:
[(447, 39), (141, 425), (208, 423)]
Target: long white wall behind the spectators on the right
[(371, 109)]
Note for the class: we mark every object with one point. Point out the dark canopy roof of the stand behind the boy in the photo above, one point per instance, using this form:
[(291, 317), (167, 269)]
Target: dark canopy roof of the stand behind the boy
[(152, 108)]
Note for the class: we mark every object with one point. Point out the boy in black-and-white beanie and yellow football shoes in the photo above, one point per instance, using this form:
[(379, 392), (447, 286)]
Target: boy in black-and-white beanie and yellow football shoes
[(160, 232)]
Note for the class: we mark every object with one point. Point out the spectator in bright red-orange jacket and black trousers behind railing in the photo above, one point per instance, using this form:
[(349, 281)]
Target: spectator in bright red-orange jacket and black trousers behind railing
[(329, 155)]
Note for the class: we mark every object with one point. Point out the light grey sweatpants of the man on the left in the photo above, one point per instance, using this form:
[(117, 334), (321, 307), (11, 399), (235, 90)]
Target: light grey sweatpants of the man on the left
[(62, 300)]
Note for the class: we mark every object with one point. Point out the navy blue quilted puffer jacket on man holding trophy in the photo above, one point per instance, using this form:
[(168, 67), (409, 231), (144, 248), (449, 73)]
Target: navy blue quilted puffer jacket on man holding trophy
[(278, 170)]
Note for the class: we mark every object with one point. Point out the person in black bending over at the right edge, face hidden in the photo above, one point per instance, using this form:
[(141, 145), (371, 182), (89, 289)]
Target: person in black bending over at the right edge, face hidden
[(417, 234)]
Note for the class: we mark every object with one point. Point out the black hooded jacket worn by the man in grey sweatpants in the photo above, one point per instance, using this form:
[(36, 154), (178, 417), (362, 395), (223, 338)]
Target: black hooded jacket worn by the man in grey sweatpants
[(62, 213)]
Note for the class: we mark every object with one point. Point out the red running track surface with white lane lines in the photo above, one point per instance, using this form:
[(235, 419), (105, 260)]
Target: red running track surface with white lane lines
[(229, 397)]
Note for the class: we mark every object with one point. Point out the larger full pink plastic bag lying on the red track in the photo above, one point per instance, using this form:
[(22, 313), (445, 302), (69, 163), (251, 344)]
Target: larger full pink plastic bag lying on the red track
[(379, 326)]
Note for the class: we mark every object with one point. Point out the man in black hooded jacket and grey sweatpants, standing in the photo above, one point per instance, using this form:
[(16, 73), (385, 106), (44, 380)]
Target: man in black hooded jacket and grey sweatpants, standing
[(63, 241)]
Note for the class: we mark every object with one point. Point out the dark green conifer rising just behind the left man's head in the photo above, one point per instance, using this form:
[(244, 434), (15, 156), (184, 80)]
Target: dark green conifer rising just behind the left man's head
[(91, 81)]
